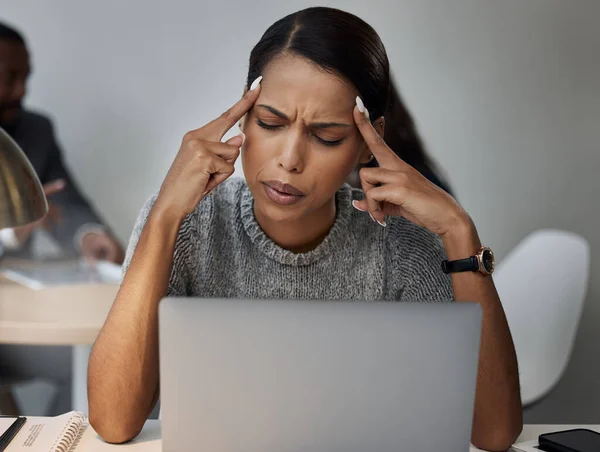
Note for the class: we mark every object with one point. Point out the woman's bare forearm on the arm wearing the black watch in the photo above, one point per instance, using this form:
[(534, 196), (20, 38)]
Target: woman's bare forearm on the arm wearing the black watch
[(498, 414)]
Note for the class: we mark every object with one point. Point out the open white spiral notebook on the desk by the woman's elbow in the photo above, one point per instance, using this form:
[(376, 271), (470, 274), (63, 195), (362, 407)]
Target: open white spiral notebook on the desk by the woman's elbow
[(50, 434)]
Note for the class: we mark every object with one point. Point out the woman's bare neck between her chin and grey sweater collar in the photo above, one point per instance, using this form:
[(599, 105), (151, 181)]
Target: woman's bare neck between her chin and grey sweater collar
[(302, 235)]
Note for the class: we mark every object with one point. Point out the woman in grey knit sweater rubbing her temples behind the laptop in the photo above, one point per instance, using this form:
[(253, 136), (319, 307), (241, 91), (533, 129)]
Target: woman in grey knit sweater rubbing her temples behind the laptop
[(317, 89)]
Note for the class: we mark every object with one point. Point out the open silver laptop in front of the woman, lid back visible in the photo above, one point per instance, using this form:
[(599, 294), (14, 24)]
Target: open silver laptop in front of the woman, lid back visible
[(313, 376)]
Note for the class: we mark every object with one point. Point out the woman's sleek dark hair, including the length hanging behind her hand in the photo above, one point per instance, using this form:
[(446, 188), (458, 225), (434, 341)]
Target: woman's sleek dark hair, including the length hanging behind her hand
[(345, 45)]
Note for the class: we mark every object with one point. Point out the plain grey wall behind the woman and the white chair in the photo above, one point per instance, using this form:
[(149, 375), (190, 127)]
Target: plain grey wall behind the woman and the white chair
[(506, 94)]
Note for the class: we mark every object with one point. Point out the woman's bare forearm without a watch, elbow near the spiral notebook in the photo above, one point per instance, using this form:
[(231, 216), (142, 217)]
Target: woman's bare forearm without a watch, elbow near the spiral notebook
[(123, 367)]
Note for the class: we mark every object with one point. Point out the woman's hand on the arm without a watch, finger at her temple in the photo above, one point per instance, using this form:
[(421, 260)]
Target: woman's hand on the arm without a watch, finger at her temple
[(203, 161)]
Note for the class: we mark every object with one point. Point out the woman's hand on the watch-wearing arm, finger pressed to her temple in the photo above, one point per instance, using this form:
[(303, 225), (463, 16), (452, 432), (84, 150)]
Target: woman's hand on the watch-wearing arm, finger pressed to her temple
[(397, 189)]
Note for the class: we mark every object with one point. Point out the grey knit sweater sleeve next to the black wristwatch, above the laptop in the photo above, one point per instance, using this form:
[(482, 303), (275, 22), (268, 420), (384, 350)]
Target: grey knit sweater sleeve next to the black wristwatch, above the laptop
[(415, 256)]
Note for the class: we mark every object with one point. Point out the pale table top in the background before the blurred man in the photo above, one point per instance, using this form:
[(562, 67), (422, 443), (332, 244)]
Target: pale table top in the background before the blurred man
[(58, 315)]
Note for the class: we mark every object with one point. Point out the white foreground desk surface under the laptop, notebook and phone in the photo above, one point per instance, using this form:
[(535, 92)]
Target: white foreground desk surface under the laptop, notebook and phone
[(150, 438)]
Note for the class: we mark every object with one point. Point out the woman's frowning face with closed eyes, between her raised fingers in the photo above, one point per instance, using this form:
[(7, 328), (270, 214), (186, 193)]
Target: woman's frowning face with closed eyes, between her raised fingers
[(301, 139)]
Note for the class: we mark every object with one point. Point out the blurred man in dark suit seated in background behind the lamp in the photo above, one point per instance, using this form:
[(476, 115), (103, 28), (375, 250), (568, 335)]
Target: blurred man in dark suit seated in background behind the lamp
[(71, 222)]
